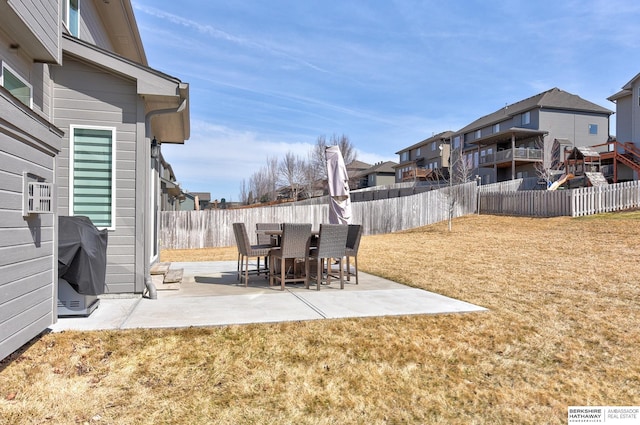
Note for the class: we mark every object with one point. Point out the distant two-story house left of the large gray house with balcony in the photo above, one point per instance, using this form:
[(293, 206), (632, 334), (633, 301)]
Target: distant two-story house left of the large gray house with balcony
[(426, 160)]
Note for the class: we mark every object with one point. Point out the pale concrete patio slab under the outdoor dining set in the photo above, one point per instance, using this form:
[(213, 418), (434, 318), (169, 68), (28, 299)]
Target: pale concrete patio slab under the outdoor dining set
[(210, 295)]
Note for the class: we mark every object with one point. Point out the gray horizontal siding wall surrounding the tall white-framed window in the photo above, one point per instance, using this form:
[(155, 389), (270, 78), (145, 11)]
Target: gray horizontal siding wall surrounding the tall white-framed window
[(85, 95)]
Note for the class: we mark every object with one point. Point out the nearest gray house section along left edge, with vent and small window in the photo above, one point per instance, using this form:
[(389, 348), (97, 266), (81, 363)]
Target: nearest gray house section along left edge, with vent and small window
[(29, 148)]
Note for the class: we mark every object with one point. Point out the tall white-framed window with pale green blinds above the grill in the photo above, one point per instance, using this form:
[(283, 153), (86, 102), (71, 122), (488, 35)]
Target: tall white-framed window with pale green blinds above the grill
[(92, 174)]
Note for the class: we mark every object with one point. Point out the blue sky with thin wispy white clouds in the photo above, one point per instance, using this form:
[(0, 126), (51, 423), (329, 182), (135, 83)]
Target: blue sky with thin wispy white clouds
[(268, 77)]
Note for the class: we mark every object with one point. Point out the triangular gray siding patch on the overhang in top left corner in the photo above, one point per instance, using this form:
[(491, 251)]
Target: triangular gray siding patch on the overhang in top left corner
[(42, 17)]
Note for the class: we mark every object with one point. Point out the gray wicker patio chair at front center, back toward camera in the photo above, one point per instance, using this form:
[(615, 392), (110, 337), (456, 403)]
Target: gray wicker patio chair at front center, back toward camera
[(294, 245)]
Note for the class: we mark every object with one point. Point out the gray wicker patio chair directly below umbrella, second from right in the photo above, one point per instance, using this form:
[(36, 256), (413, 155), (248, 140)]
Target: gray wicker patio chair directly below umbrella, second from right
[(332, 243)]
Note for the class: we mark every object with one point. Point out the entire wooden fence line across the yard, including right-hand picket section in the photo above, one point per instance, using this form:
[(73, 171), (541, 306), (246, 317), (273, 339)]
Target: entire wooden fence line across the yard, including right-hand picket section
[(212, 228)]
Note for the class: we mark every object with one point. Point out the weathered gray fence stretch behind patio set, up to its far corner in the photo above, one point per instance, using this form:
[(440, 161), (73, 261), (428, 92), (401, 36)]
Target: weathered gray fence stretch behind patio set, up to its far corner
[(213, 228)]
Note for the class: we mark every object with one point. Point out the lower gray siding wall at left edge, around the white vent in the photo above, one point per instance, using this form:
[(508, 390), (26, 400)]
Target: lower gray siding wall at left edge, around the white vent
[(28, 266)]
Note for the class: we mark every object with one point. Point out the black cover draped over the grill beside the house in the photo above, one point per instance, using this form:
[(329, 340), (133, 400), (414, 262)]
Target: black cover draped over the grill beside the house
[(82, 254)]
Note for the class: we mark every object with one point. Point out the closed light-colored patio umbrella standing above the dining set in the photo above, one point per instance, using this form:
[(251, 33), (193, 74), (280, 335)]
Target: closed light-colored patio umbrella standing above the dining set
[(338, 181)]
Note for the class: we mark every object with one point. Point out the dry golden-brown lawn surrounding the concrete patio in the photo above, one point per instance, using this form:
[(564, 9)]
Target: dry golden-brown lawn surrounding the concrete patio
[(561, 330)]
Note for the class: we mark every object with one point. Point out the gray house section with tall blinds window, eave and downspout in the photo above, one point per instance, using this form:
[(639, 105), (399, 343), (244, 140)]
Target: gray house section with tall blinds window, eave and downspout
[(112, 107)]
